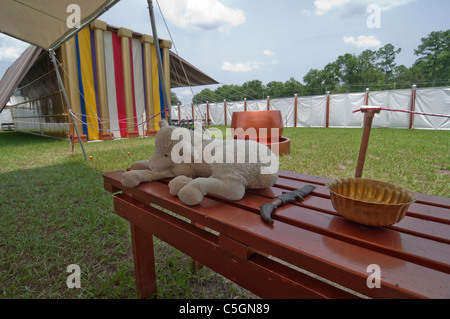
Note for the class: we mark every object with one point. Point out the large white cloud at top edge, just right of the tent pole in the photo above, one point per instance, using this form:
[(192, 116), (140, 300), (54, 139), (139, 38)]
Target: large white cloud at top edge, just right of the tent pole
[(204, 14)]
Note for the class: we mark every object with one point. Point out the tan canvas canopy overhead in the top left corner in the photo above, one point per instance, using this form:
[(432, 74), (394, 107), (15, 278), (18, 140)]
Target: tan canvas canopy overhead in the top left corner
[(48, 23)]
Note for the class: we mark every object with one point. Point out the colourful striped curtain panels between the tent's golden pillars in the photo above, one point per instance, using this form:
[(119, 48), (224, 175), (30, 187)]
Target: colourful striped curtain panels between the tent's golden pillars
[(91, 116)]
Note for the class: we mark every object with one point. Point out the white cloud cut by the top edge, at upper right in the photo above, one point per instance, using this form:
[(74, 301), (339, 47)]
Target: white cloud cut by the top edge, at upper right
[(350, 7)]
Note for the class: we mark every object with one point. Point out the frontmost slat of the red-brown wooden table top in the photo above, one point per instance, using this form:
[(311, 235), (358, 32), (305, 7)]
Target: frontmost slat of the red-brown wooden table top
[(323, 255)]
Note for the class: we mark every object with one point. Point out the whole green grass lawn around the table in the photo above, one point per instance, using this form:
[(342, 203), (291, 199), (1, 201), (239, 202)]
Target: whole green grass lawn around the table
[(54, 211)]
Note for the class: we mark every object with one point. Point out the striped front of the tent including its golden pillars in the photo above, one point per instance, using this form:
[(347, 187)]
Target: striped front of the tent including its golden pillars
[(119, 89)]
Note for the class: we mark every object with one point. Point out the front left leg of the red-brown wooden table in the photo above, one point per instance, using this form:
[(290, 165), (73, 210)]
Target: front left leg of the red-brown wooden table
[(144, 262)]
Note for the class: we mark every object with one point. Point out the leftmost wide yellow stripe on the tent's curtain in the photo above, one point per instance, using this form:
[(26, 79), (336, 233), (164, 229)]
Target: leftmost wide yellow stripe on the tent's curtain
[(87, 75)]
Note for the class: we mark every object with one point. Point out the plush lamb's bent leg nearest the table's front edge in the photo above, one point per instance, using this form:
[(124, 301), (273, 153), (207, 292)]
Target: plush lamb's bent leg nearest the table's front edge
[(193, 193)]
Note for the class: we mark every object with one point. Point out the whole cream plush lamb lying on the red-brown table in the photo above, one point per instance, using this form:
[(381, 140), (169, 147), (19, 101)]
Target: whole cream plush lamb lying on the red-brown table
[(202, 165)]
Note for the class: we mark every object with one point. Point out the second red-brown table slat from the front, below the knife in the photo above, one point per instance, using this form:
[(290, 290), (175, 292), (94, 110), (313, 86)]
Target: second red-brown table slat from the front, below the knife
[(427, 252)]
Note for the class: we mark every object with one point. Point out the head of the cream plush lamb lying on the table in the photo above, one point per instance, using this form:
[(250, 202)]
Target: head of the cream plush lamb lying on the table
[(172, 145)]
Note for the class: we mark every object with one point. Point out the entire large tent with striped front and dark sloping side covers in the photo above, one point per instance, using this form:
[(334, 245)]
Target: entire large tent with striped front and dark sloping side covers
[(111, 78)]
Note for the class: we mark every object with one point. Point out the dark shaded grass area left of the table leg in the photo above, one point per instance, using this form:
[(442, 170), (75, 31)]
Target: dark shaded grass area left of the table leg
[(54, 216)]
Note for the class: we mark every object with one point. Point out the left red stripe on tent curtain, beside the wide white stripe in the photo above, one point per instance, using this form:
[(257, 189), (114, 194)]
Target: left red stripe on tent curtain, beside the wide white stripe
[(120, 95)]
